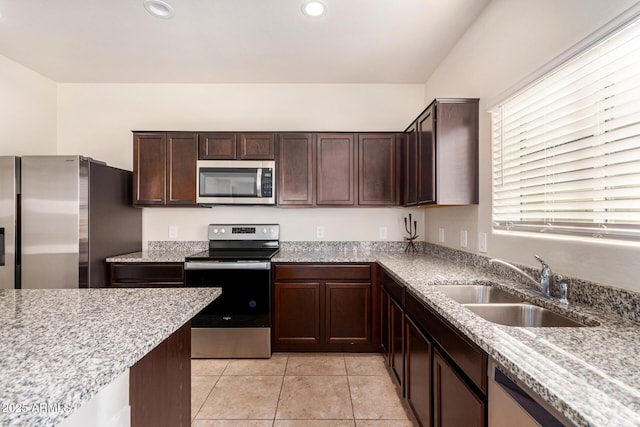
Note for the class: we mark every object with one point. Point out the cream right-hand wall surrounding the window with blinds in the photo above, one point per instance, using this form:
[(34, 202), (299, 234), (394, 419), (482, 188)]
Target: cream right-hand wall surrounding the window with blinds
[(510, 40)]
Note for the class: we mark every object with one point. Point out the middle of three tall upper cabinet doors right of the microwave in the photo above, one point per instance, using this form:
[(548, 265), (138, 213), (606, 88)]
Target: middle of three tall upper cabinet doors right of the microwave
[(334, 169)]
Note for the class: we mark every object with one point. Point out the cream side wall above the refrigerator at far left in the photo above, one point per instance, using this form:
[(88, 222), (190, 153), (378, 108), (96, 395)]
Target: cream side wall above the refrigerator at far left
[(27, 111)]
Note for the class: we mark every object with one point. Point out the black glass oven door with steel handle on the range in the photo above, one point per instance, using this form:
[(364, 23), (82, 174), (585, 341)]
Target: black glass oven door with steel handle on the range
[(246, 293)]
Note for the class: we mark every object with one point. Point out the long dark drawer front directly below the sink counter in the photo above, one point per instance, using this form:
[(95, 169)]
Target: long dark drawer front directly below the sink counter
[(469, 358)]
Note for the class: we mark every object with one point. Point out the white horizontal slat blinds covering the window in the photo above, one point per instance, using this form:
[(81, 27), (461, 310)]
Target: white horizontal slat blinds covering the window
[(566, 150)]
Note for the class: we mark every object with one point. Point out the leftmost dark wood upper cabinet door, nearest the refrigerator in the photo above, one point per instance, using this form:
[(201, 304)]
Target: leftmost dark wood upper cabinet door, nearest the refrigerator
[(149, 168)]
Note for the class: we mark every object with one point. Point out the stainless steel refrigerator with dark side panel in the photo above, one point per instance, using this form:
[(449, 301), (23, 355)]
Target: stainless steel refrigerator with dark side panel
[(60, 217)]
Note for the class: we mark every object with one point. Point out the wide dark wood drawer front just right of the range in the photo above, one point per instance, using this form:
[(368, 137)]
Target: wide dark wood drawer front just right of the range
[(322, 272)]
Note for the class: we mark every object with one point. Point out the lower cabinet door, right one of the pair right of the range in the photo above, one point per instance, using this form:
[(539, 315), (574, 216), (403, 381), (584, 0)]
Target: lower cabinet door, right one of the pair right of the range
[(348, 313)]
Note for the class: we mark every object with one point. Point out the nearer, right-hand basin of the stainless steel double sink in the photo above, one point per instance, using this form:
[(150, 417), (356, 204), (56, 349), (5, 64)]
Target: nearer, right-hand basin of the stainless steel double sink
[(524, 315)]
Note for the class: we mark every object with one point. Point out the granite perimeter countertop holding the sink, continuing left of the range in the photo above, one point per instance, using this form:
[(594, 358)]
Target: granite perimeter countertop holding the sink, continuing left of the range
[(589, 374)]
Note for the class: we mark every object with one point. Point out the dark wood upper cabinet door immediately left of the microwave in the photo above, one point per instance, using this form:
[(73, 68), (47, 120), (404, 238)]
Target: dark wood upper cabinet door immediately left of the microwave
[(182, 155)]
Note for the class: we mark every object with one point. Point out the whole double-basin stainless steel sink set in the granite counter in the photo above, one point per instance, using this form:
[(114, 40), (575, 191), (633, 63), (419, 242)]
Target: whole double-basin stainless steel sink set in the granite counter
[(498, 306)]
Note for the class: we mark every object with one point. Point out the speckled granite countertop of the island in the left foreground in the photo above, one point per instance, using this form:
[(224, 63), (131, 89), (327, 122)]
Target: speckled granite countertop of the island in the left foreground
[(60, 347)]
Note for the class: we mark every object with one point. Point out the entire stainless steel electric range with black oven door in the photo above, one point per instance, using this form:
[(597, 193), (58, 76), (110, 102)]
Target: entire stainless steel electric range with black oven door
[(238, 323)]
